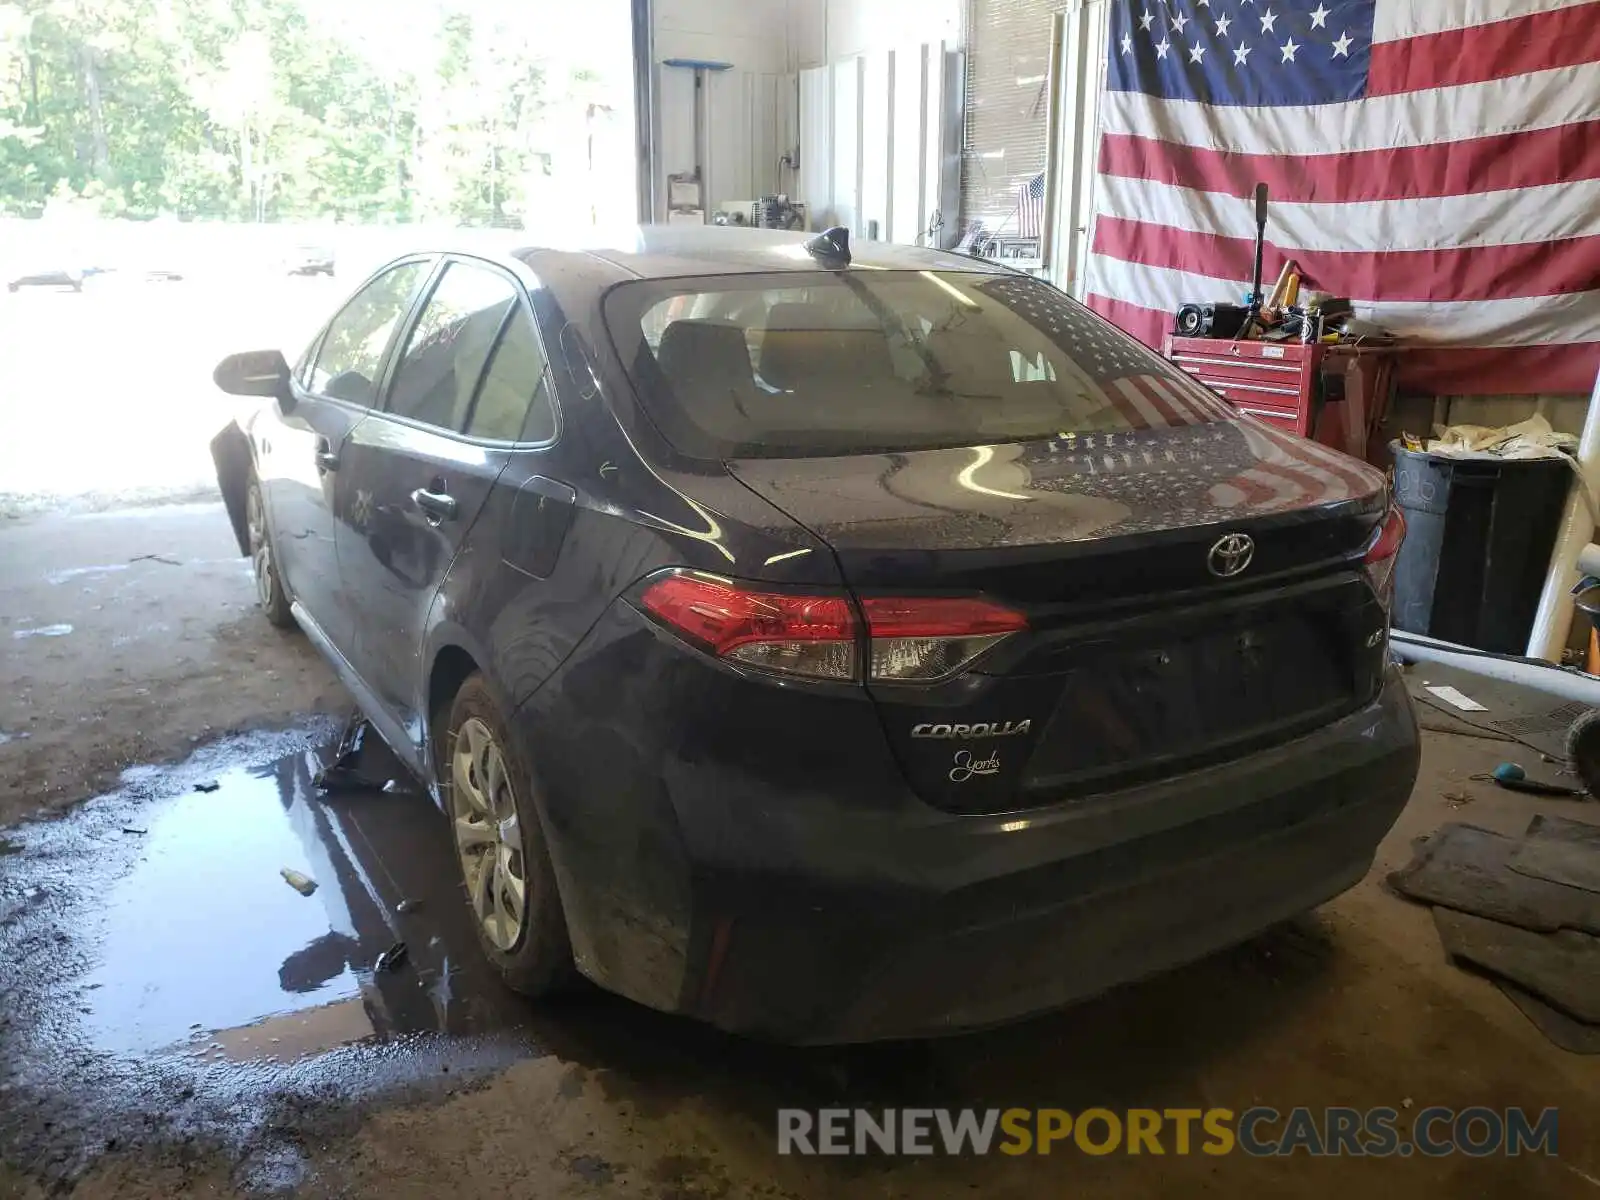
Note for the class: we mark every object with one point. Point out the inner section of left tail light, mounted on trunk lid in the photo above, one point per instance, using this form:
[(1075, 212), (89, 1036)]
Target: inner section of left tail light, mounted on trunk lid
[(930, 638)]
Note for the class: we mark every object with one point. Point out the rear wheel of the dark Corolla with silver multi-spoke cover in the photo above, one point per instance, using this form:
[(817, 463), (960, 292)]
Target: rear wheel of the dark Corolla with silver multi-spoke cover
[(500, 846)]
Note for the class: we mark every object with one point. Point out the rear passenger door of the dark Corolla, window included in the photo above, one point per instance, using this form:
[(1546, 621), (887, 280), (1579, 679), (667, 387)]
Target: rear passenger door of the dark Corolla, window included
[(465, 393)]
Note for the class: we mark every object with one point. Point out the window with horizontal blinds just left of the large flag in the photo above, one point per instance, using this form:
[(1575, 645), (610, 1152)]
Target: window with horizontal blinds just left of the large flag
[(1007, 66)]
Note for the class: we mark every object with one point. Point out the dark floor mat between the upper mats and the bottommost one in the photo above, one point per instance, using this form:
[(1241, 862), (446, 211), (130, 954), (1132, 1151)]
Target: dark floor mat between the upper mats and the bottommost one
[(1562, 969)]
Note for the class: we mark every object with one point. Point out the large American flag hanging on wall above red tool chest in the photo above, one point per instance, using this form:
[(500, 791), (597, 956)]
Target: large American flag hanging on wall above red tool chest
[(1434, 161)]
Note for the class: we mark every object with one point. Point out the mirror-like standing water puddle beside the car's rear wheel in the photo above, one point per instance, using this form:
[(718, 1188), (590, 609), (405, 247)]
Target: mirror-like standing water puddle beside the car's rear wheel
[(204, 946)]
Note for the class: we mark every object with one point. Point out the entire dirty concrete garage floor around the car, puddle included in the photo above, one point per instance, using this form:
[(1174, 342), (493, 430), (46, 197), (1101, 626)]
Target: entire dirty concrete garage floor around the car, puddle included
[(134, 962)]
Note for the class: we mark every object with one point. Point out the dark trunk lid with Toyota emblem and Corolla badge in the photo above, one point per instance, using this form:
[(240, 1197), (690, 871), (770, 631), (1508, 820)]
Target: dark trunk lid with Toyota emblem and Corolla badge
[(1143, 655)]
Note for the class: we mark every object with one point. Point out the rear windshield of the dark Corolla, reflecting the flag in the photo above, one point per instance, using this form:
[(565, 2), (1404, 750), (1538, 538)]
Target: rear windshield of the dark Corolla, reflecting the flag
[(884, 361)]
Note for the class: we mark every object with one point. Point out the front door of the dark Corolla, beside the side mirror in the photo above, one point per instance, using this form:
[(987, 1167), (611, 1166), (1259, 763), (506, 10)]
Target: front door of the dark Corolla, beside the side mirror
[(300, 455)]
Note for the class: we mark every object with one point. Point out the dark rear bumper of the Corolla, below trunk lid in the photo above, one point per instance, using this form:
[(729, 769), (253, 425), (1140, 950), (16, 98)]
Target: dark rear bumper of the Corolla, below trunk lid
[(706, 892)]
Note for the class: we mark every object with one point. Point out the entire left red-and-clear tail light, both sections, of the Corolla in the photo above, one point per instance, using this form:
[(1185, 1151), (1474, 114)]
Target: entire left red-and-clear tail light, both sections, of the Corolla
[(913, 641)]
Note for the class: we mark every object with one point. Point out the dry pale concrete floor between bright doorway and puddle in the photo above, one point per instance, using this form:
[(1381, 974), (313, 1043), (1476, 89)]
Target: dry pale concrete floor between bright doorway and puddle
[(129, 638)]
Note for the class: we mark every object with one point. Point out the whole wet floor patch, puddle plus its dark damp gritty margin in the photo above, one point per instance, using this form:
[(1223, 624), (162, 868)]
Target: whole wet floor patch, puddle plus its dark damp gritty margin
[(158, 966)]
